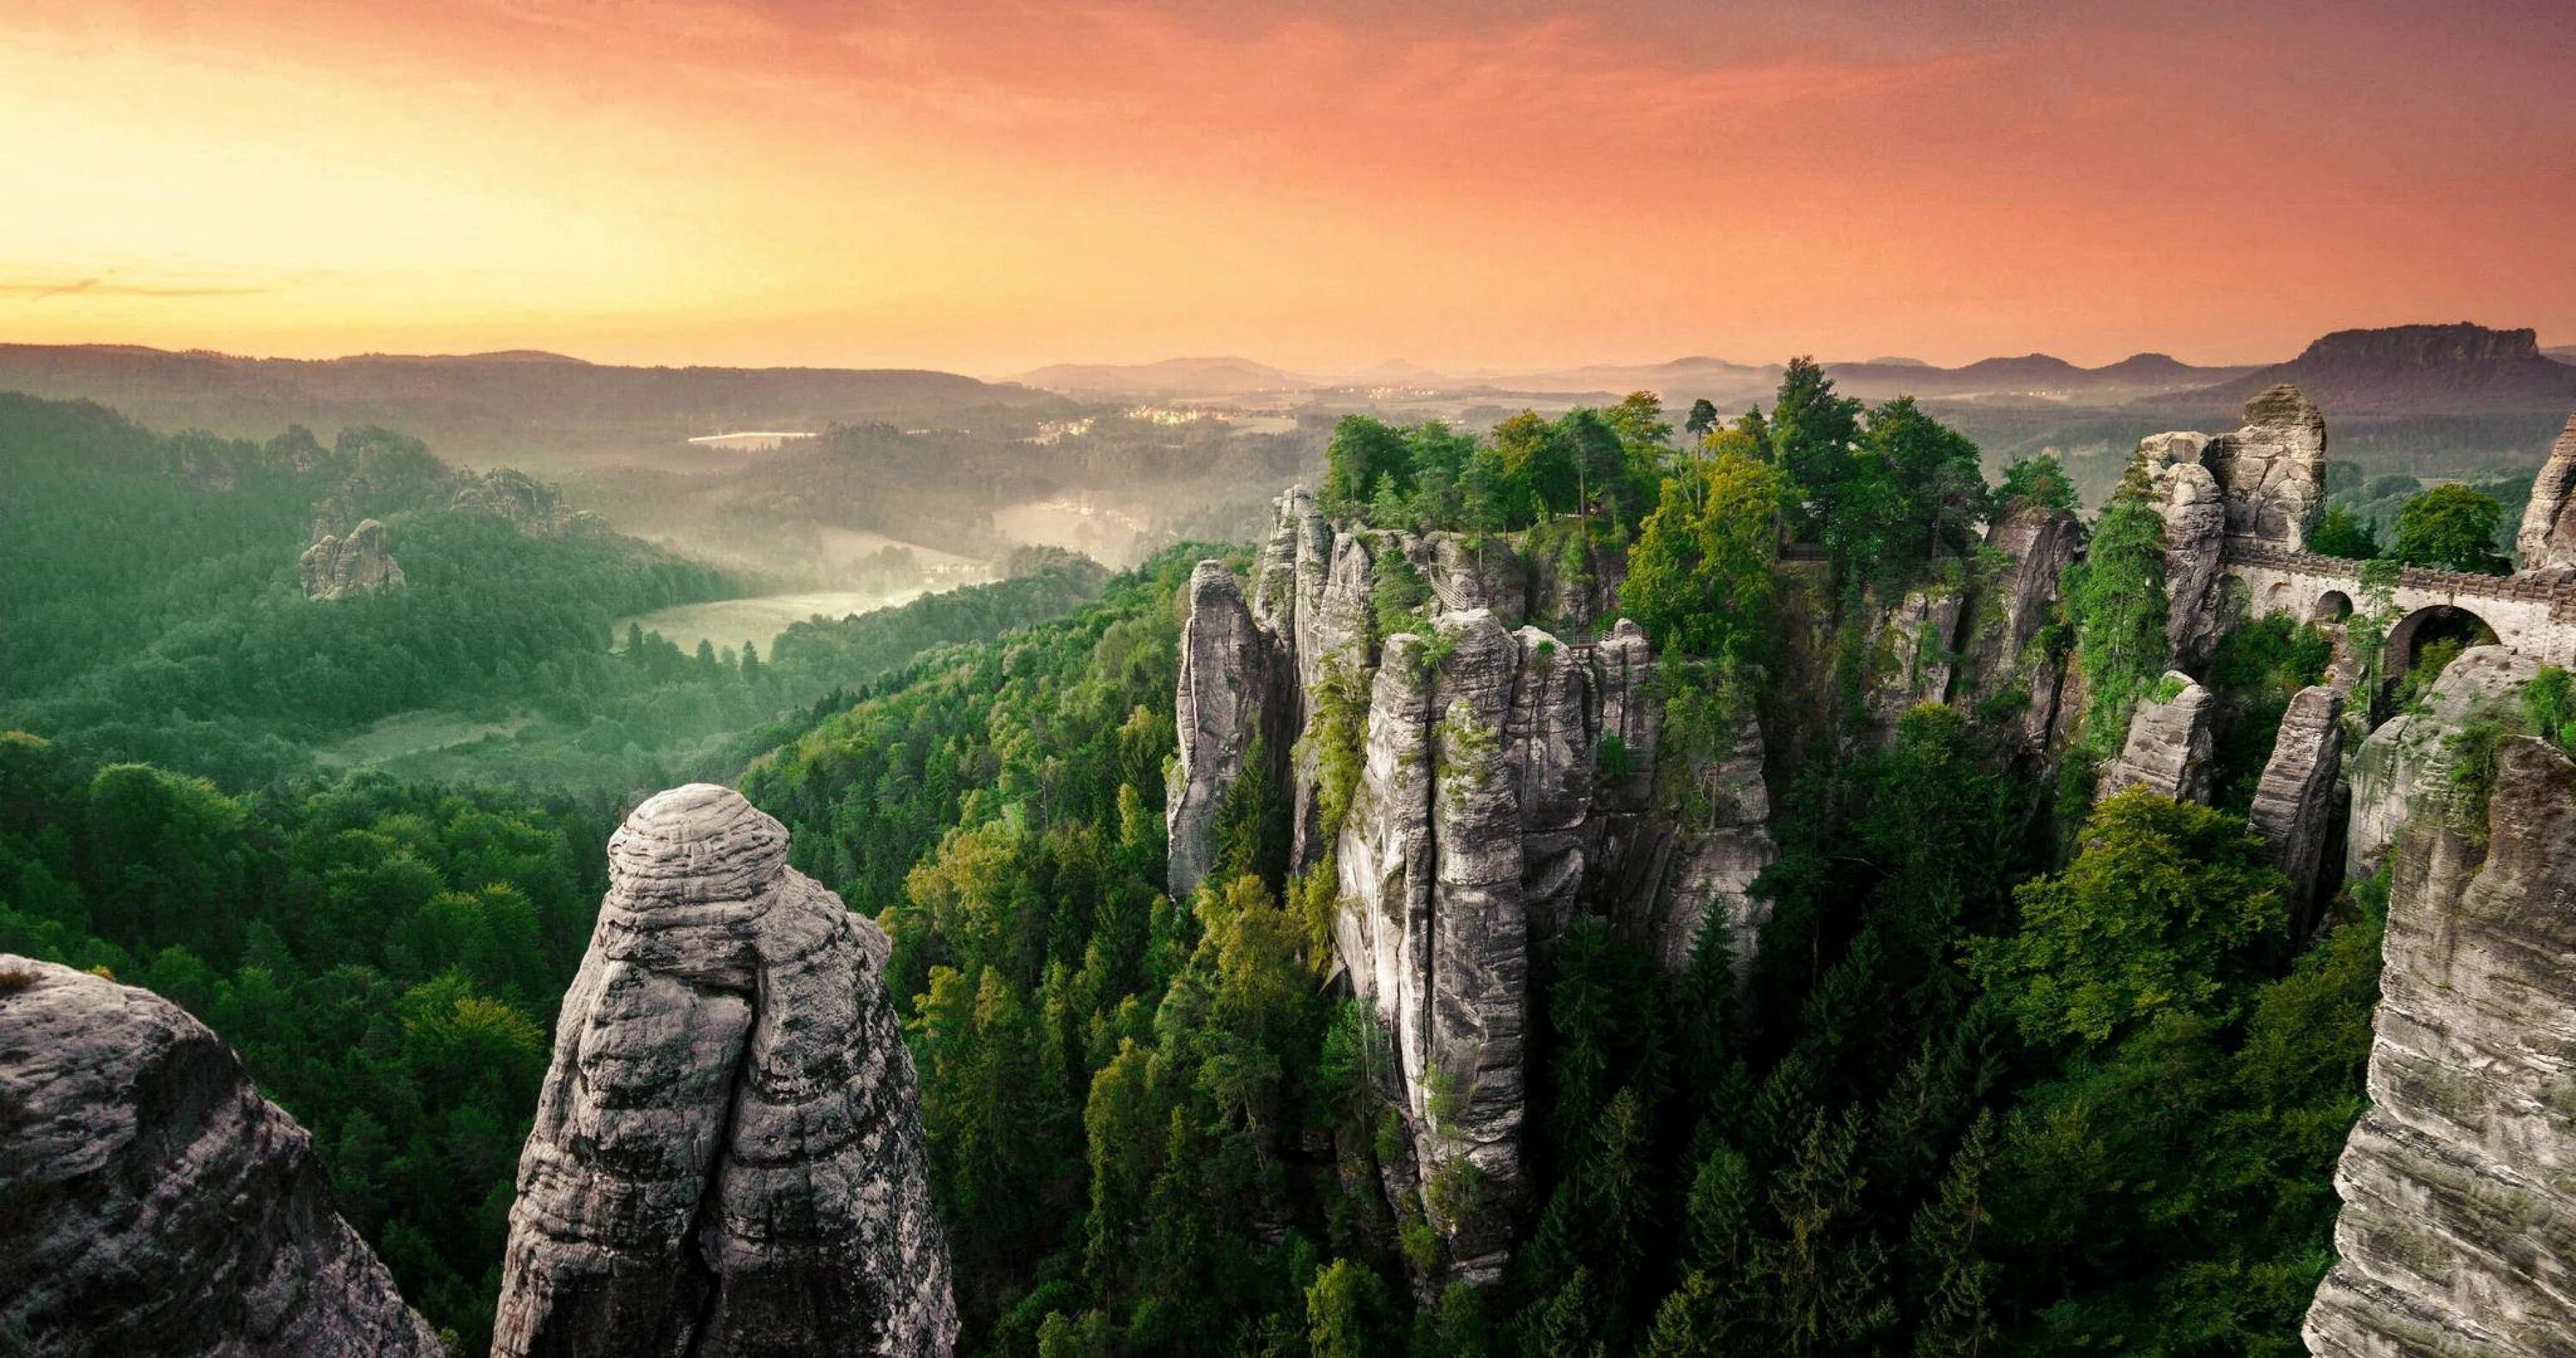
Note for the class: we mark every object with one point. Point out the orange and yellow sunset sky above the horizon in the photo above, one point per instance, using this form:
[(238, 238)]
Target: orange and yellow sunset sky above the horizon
[(988, 187)]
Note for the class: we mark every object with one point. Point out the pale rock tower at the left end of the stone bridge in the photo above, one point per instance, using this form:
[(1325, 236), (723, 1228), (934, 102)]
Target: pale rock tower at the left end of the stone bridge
[(2258, 486)]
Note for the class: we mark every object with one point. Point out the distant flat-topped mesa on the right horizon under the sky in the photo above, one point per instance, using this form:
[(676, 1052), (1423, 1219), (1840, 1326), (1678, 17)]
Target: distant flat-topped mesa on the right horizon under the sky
[(2415, 370)]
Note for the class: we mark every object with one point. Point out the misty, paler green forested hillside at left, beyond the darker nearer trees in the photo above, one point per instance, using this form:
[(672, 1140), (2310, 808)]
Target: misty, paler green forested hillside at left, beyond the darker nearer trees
[(156, 615)]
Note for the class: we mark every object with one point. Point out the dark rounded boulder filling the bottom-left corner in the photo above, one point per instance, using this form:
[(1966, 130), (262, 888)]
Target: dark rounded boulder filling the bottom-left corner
[(153, 1202)]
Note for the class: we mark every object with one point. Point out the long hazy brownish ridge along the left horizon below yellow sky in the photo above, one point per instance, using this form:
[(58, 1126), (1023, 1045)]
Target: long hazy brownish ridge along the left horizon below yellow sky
[(491, 406)]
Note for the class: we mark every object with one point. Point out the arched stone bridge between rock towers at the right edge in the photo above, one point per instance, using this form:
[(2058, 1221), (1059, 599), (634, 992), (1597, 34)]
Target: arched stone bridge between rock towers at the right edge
[(2536, 615)]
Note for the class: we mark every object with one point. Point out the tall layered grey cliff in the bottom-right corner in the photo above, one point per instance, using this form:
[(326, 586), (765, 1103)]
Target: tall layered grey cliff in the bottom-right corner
[(2459, 1228)]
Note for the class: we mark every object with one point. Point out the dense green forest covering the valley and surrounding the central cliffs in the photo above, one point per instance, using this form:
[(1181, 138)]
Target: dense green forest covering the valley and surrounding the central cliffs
[(2016, 1073)]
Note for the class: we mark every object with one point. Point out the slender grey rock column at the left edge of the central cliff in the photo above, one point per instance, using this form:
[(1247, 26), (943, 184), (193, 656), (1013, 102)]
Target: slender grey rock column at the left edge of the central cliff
[(1227, 705)]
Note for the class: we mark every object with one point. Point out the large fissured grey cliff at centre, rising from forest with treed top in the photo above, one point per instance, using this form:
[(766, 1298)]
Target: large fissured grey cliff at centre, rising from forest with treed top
[(1506, 785)]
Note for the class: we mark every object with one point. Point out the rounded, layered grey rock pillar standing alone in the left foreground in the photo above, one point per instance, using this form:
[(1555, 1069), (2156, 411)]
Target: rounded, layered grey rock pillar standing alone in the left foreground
[(728, 1153)]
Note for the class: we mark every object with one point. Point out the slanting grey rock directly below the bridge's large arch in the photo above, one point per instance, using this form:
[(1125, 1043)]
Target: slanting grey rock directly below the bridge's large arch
[(2405, 767)]
